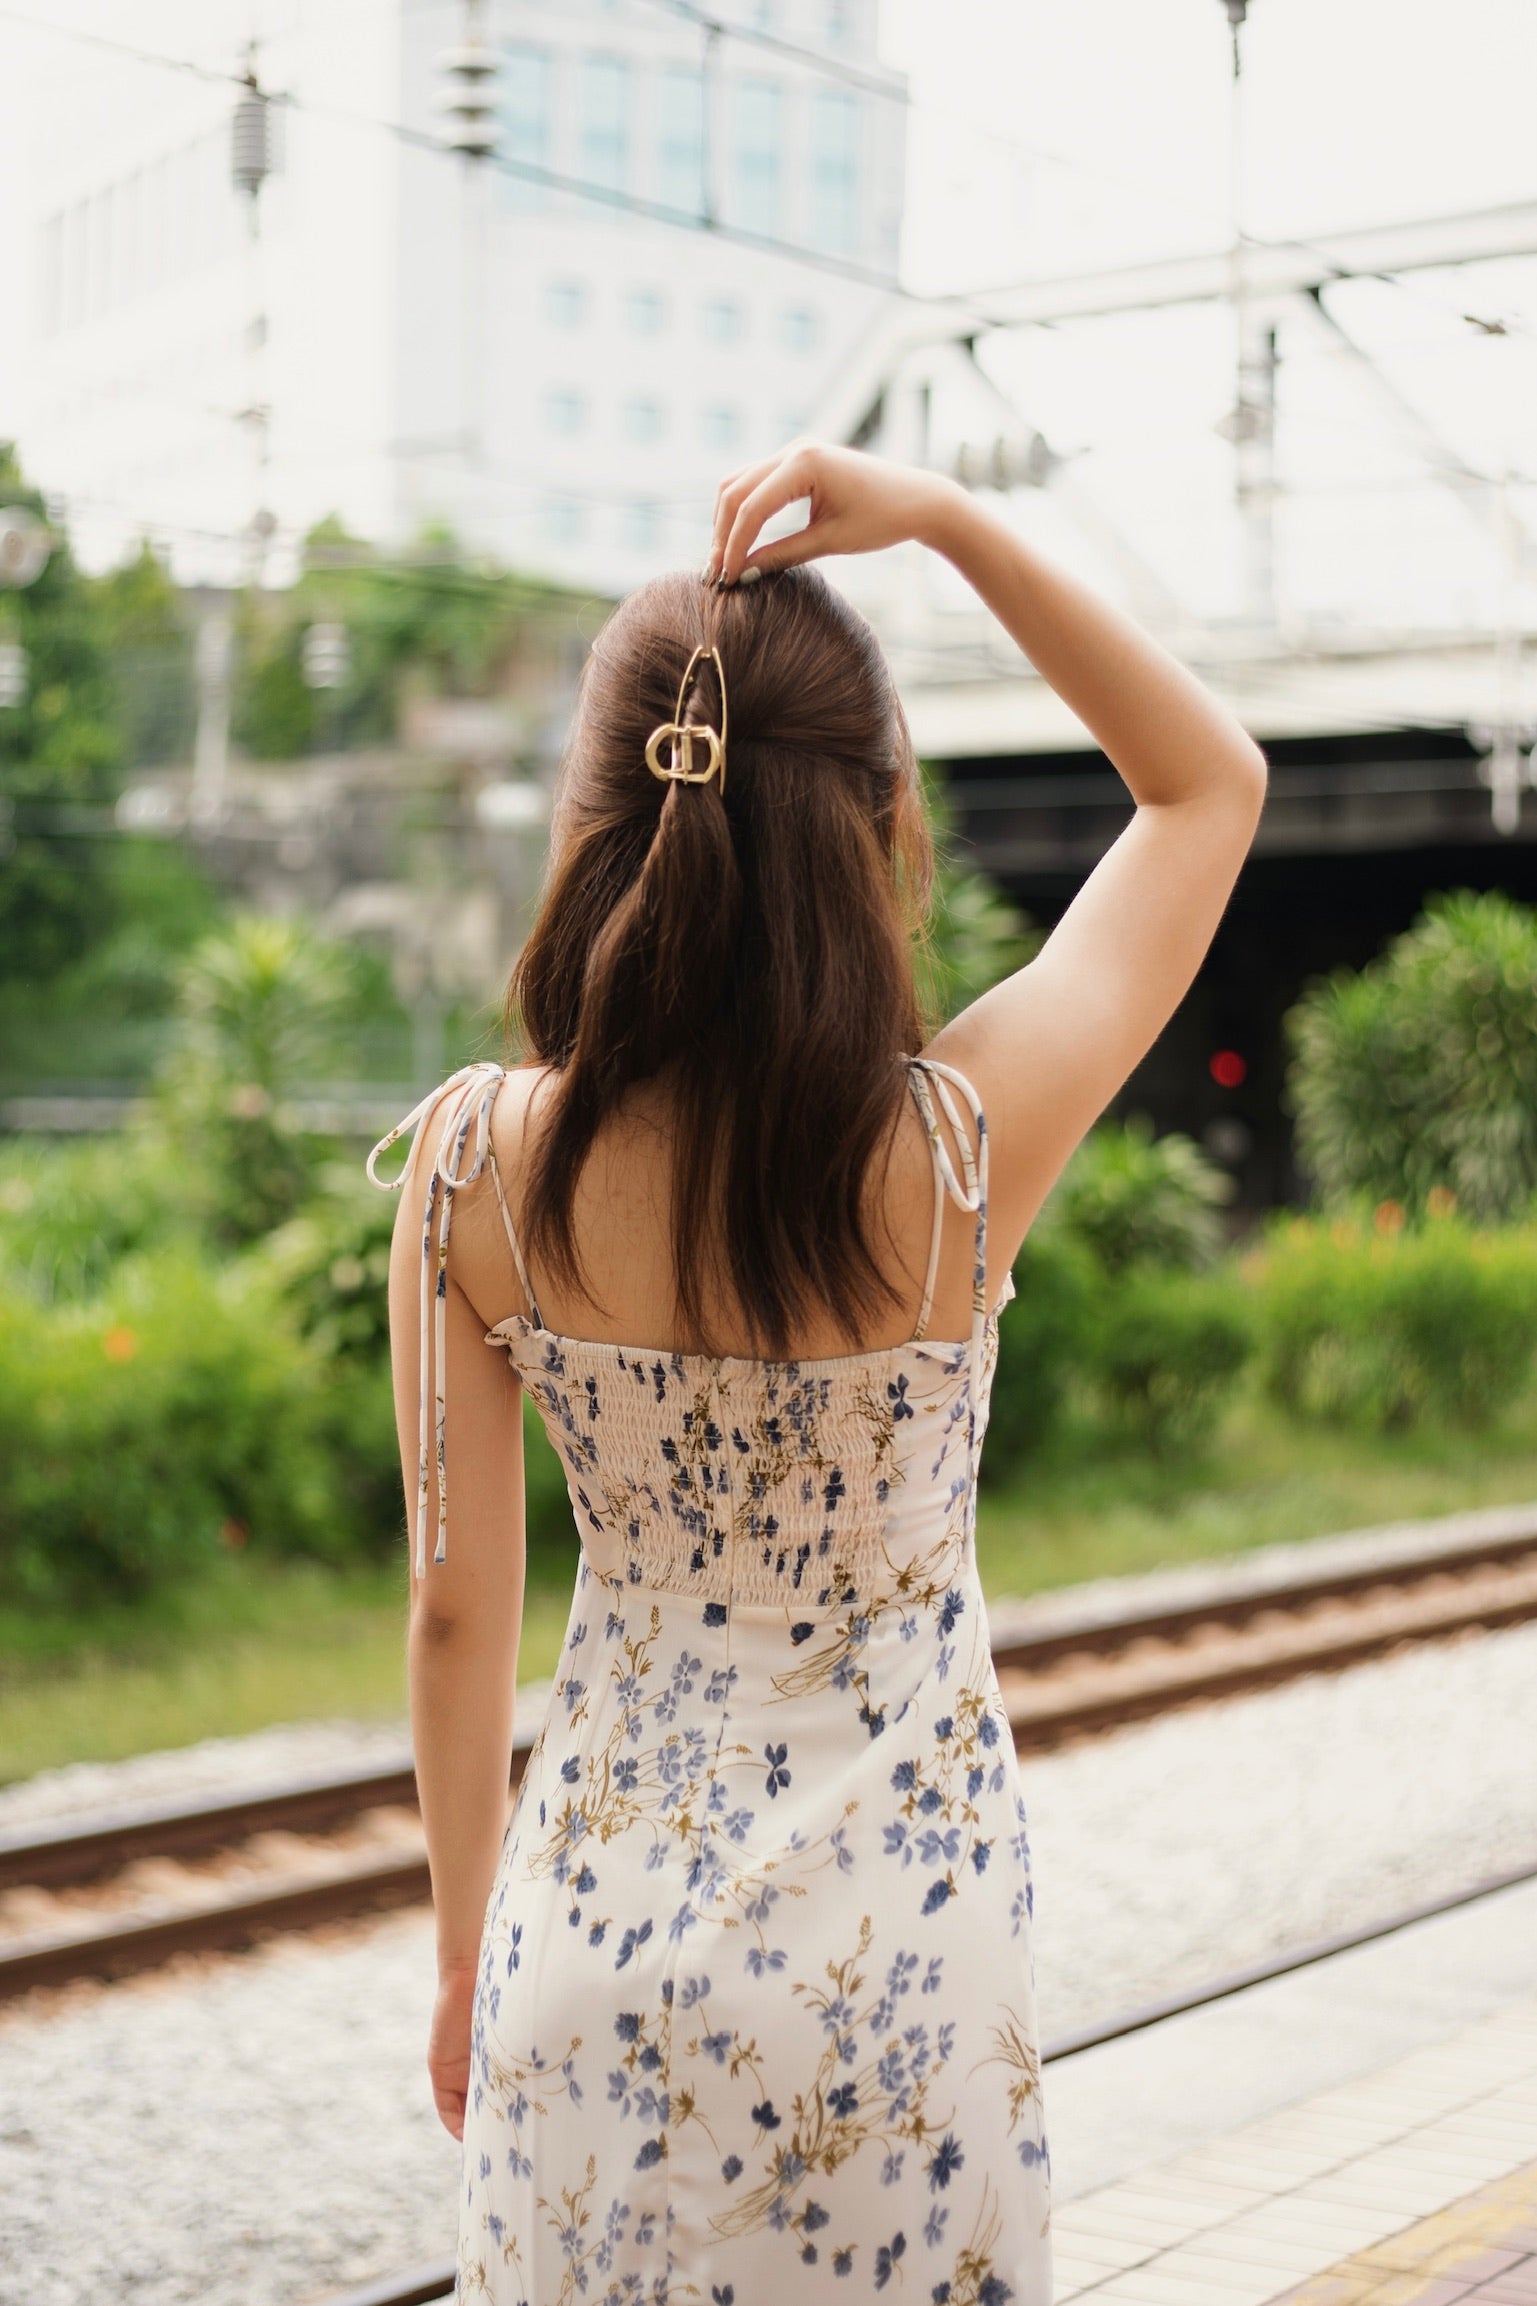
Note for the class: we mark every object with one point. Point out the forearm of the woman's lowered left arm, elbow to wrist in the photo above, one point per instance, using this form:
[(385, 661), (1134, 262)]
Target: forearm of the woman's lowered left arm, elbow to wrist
[(462, 1708)]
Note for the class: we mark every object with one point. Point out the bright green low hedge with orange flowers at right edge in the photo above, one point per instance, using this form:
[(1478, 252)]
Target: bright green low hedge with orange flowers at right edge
[(1398, 1327)]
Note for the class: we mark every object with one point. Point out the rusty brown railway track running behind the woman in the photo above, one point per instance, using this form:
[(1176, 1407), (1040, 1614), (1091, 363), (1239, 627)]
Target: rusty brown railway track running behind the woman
[(121, 1894)]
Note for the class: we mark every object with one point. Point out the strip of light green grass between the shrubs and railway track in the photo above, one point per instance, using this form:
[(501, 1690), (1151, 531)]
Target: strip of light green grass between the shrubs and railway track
[(271, 1643)]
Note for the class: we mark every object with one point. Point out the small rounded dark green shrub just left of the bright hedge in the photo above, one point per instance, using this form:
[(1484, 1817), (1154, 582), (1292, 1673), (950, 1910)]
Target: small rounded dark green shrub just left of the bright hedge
[(1167, 1352)]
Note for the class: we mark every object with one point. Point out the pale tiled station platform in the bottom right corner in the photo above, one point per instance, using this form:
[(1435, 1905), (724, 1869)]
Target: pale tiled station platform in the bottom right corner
[(1269, 2153)]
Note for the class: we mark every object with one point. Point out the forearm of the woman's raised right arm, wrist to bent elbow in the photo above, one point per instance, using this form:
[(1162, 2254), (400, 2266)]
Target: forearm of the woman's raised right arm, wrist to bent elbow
[(1163, 730)]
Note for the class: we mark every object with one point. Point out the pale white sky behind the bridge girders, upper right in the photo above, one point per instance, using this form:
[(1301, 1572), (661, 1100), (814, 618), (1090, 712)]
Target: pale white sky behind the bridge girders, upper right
[(1052, 137)]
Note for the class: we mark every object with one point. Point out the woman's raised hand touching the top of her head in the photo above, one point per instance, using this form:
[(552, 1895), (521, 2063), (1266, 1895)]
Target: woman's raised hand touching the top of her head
[(858, 506)]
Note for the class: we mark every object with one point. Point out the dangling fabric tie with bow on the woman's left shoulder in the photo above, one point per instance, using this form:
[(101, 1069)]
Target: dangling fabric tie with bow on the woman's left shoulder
[(467, 1103)]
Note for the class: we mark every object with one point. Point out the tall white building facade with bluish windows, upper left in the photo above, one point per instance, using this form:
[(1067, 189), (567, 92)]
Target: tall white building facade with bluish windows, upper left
[(409, 340)]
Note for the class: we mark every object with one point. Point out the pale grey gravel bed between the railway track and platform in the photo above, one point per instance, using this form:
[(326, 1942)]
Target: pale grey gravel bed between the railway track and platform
[(259, 2132)]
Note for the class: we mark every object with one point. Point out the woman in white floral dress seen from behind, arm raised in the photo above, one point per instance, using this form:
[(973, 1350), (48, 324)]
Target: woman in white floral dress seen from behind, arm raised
[(741, 2005)]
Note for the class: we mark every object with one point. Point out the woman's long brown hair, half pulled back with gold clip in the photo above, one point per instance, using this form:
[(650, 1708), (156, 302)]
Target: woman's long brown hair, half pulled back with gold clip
[(750, 947)]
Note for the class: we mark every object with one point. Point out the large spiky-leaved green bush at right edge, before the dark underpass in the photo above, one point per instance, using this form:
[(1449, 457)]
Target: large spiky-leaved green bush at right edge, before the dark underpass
[(1418, 1078)]
